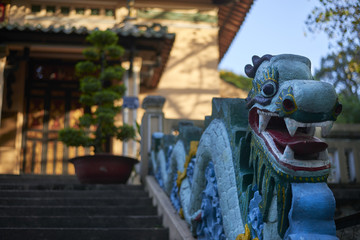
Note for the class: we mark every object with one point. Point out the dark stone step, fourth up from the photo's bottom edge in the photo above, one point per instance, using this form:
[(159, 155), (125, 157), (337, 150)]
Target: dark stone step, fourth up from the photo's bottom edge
[(93, 201)]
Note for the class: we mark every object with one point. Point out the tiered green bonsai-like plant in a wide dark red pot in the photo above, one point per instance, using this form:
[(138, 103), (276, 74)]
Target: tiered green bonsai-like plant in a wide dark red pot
[(100, 85)]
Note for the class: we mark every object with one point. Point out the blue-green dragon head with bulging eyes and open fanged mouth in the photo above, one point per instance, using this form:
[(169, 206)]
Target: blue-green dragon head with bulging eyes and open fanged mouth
[(286, 105)]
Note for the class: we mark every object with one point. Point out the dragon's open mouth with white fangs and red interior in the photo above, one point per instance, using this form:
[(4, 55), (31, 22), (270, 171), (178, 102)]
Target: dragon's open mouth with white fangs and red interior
[(292, 143)]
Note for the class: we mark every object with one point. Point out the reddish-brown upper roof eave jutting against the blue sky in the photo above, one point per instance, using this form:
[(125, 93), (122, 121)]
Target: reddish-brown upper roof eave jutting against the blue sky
[(230, 18)]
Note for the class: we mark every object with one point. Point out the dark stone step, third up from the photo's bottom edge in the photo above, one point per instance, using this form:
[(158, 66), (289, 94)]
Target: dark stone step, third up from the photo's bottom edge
[(76, 211)]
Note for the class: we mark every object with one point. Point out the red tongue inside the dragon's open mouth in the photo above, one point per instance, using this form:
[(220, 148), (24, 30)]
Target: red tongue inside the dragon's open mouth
[(300, 143)]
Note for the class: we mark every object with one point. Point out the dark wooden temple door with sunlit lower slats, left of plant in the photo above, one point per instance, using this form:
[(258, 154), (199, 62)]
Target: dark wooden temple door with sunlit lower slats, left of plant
[(52, 103)]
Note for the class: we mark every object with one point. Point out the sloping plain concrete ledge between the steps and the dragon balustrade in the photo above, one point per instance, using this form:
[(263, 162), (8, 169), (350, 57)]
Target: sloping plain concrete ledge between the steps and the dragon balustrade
[(178, 228)]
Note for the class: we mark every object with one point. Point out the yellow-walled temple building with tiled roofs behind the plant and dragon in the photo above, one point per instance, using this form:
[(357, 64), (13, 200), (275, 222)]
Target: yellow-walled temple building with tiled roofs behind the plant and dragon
[(172, 49)]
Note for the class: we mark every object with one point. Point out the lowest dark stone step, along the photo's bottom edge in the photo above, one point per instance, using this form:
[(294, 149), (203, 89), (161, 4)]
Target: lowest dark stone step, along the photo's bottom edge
[(83, 234)]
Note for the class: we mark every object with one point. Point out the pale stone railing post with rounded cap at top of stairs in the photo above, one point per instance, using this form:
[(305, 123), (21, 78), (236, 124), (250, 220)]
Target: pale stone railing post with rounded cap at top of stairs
[(152, 121)]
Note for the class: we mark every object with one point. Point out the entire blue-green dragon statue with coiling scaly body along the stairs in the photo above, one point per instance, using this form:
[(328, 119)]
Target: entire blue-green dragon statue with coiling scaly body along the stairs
[(256, 171)]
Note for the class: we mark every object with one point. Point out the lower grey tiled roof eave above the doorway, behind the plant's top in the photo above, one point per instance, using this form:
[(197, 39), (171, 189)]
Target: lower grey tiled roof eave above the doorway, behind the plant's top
[(138, 36)]
